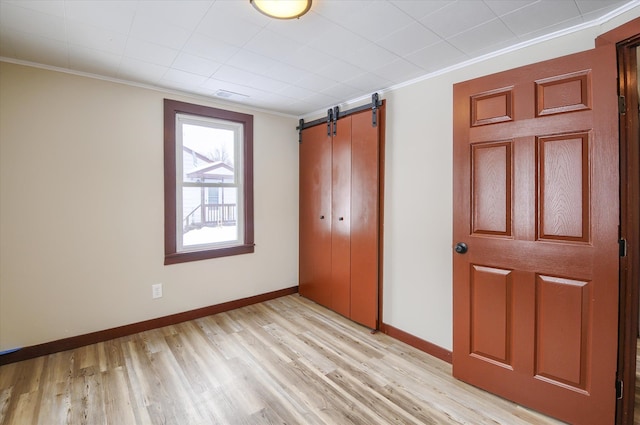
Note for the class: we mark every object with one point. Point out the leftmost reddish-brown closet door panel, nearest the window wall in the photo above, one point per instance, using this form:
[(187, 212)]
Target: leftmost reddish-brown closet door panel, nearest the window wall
[(315, 215)]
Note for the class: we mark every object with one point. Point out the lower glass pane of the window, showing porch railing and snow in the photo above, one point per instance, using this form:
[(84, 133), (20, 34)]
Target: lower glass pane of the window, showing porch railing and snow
[(207, 218)]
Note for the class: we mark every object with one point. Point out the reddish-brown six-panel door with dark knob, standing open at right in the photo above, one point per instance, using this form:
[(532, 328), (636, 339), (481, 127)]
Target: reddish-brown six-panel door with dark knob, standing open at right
[(536, 203)]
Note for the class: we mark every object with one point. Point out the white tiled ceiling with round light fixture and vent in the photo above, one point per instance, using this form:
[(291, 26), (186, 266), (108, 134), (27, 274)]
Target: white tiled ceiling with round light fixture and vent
[(341, 50)]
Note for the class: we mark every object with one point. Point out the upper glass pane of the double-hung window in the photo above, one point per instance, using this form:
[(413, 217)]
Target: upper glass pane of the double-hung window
[(207, 154)]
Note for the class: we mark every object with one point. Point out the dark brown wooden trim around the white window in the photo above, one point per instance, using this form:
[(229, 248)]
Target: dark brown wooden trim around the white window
[(171, 109)]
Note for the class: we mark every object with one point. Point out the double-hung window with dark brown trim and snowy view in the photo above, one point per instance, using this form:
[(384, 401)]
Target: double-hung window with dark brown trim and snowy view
[(208, 179)]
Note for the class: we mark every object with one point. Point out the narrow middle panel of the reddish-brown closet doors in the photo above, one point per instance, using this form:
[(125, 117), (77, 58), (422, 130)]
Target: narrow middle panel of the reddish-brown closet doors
[(341, 219)]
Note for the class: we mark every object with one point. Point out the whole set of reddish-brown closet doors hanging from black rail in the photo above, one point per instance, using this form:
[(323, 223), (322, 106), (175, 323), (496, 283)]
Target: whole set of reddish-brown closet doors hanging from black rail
[(340, 207)]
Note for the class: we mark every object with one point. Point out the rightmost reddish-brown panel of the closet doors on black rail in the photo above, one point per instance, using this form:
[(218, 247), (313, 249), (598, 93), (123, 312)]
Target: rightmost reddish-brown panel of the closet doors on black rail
[(364, 220)]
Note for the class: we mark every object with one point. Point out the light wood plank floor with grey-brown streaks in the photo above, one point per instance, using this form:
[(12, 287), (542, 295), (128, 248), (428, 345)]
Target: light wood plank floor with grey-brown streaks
[(285, 361)]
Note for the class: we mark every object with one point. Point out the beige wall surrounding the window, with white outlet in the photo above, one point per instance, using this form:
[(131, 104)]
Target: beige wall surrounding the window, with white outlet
[(81, 210)]
